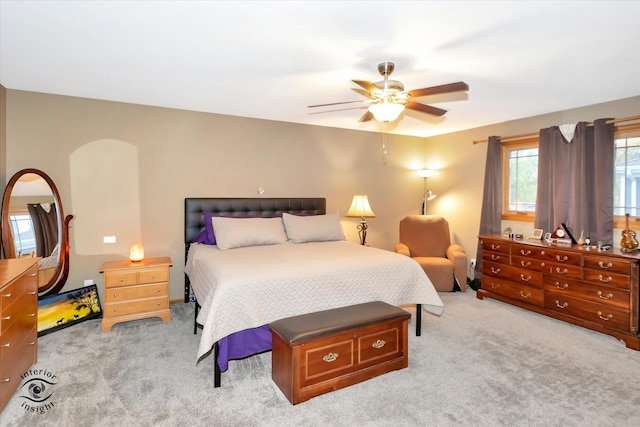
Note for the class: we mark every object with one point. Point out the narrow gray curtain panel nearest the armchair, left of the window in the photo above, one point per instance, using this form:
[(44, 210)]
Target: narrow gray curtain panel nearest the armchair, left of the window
[(491, 215)]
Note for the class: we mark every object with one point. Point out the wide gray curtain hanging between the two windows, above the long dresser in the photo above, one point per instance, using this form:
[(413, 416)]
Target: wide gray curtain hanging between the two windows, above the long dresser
[(575, 181)]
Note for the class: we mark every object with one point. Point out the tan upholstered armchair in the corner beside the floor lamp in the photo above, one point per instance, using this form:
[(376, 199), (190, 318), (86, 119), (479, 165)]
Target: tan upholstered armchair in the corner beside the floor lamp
[(426, 239)]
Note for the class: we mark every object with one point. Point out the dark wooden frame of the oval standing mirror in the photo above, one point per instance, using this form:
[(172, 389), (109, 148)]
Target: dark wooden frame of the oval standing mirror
[(59, 278)]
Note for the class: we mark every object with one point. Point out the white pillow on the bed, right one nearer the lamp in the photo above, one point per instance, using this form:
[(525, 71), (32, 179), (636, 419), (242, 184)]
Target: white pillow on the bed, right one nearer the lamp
[(314, 228)]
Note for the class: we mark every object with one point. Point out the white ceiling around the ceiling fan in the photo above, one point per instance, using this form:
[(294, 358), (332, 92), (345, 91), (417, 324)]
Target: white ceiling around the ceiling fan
[(269, 60)]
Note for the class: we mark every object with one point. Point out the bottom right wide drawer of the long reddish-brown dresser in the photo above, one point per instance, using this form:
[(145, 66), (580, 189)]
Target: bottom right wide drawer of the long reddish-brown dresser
[(605, 315)]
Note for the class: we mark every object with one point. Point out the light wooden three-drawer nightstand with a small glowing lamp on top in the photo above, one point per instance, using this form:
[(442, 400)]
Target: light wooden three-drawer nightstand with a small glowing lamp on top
[(135, 290)]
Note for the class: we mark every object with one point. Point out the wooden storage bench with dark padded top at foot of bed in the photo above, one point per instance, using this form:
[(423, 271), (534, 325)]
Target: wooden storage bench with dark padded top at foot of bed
[(316, 353)]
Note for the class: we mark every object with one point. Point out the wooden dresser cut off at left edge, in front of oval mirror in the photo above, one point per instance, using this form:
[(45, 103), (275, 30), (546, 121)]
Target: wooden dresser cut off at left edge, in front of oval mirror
[(18, 322)]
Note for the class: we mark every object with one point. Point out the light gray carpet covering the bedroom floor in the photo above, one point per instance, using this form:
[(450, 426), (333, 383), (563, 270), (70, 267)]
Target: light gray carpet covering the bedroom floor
[(482, 363)]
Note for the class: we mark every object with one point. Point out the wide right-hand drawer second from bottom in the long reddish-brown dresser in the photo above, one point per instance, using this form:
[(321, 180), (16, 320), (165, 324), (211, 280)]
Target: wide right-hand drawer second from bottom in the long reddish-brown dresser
[(597, 293)]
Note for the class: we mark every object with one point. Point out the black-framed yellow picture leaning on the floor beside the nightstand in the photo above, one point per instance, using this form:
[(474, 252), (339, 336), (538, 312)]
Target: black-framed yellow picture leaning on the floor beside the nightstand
[(68, 308)]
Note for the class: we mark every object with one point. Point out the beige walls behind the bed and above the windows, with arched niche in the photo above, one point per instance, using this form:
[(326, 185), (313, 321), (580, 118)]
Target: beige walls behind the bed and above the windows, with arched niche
[(133, 165)]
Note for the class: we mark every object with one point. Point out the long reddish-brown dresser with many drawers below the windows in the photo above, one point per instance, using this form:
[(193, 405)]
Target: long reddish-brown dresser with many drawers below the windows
[(584, 286)]
